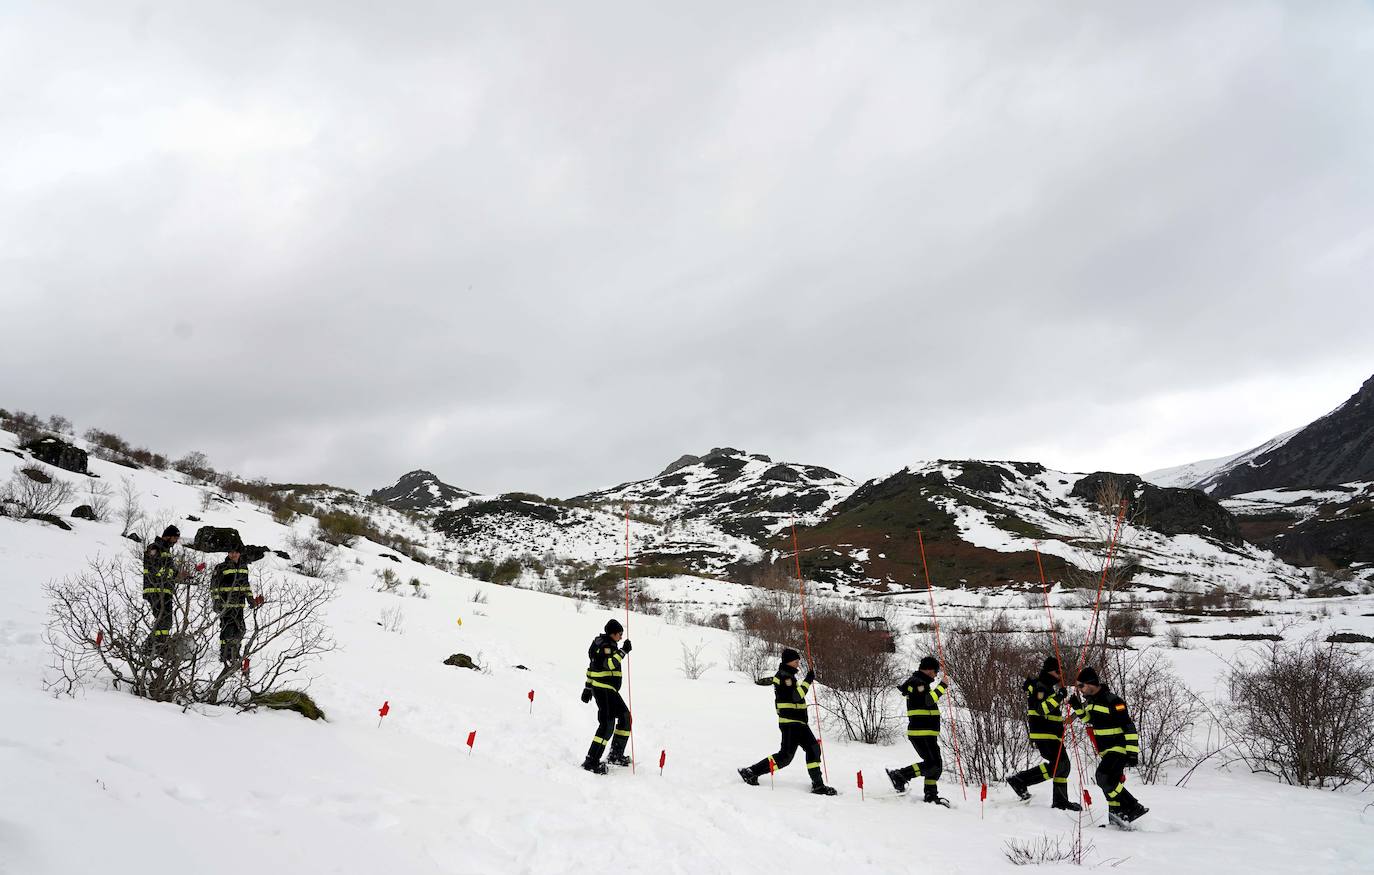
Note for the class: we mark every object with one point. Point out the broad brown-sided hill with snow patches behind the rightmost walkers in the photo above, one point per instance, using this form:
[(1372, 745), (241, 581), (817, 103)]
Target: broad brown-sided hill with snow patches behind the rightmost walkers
[(983, 520)]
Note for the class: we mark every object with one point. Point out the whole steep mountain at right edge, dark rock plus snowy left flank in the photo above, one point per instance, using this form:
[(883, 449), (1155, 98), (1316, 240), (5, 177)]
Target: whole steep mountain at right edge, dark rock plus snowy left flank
[(1338, 448)]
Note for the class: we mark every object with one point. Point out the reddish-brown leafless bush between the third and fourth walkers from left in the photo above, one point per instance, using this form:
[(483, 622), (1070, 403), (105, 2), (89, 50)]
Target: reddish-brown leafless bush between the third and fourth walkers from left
[(989, 668)]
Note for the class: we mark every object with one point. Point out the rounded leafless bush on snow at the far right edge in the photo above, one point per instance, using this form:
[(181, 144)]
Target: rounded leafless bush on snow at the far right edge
[(1305, 714)]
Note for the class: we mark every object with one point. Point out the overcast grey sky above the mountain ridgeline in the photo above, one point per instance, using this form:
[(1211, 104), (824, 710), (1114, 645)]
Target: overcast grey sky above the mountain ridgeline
[(556, 249)]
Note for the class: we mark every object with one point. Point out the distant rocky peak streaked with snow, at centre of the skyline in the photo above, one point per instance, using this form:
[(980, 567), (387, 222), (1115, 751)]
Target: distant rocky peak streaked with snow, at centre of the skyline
[(747, 495)]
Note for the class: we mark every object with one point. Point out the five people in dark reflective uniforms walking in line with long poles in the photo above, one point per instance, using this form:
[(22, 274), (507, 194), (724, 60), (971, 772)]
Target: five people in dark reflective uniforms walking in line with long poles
[(1092, 703)]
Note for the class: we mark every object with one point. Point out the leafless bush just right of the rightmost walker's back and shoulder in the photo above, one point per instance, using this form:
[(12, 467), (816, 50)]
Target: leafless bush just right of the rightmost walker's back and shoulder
[(1163, 709)]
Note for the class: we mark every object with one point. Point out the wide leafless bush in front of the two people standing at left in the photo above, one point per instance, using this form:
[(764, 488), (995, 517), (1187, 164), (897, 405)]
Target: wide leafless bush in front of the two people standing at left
[(100, 627)]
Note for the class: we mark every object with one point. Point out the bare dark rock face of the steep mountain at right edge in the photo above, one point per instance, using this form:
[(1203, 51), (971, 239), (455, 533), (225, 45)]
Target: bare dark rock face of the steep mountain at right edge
[(1338, 448)]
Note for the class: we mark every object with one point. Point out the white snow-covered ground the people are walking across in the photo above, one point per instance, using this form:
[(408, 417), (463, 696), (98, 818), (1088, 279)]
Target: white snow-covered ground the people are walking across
[(105, 782)]
